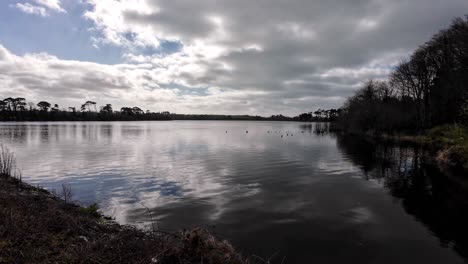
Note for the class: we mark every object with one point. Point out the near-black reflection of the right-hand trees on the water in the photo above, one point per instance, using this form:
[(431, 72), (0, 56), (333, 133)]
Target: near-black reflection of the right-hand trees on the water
[(438, 200)]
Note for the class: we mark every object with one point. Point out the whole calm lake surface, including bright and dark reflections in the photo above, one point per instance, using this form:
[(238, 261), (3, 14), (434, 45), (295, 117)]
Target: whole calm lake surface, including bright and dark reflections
[(307, 197)]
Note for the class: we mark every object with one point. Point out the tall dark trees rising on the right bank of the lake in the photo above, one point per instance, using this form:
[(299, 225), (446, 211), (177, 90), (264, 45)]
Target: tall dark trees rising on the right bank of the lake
[(428, 89)]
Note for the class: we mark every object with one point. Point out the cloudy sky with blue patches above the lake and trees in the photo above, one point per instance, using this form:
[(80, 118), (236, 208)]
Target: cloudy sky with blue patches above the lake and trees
[(259, 57)]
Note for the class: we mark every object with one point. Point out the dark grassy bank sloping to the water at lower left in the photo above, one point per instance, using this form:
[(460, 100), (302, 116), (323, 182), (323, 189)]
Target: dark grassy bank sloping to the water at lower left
[(39, 227)]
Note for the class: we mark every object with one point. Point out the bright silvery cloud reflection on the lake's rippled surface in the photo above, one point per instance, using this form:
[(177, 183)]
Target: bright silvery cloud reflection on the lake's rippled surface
[(162, 163)]
